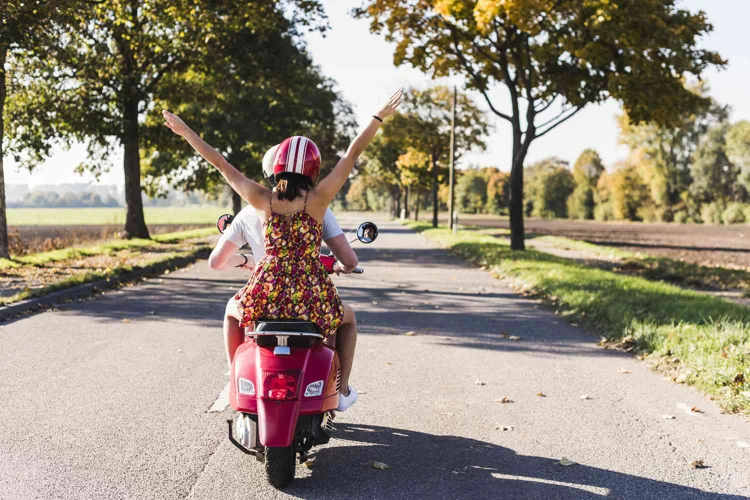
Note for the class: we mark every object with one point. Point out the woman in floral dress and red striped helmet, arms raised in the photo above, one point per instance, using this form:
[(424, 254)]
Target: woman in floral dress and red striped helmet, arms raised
[(290, 282)]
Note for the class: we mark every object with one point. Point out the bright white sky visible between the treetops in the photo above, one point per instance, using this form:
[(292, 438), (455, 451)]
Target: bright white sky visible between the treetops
[(362, 65)]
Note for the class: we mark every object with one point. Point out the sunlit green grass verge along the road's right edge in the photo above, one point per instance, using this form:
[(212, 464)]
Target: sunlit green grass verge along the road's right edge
[(700, 340)]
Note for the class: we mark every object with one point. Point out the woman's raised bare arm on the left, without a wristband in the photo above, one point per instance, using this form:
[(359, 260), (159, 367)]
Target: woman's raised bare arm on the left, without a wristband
[(252, 192)]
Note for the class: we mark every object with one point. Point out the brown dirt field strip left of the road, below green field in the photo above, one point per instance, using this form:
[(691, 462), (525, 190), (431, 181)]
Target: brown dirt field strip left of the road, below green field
[(32, 239)]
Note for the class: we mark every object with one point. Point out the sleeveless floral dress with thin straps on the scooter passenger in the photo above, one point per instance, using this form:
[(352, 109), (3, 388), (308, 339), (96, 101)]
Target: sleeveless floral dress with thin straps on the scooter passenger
[(290, 282)]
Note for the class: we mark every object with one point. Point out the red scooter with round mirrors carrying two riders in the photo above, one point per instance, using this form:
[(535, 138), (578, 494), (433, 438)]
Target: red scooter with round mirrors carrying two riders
[(284, 385)]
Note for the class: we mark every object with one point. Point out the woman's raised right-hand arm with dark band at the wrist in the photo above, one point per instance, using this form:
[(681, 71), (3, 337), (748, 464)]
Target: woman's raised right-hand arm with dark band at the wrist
[(327, 188)]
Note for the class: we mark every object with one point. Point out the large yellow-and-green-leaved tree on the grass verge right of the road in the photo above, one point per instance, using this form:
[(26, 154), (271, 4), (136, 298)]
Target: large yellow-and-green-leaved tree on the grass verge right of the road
[(554, 57)]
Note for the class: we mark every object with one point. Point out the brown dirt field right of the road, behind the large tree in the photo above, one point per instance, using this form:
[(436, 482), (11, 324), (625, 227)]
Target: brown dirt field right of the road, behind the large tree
[(725, 246)]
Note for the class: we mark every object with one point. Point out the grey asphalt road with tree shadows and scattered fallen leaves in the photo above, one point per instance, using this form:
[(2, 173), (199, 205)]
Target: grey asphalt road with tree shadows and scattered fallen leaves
[(109, 398)]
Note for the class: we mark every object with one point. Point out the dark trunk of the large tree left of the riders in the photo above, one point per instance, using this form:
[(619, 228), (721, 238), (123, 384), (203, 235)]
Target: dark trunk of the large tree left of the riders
[(135, 224)]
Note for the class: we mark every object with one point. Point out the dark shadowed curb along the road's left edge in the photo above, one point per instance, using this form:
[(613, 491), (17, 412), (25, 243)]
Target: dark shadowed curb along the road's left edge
[(39, 304)]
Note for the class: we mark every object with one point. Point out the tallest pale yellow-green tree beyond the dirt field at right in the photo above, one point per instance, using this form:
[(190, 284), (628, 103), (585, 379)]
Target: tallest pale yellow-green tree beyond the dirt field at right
[(667, 150)]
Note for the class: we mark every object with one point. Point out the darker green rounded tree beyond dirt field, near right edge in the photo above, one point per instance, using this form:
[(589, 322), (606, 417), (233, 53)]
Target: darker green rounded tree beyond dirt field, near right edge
[(714, 175)]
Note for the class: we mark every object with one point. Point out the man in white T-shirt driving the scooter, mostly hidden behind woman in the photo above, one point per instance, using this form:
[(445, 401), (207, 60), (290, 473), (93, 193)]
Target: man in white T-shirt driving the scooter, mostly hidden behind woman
[(247, 229)]
